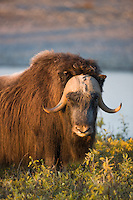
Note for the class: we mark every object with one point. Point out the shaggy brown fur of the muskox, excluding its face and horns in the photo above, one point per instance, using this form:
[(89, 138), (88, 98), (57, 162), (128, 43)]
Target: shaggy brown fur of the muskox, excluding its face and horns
[(25, 127)]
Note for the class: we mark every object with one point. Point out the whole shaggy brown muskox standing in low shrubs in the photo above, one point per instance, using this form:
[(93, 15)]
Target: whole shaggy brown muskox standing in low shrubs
[(49, 111)]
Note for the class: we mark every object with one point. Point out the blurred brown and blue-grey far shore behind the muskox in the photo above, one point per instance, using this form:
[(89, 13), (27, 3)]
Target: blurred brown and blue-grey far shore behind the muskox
[(98, 30)]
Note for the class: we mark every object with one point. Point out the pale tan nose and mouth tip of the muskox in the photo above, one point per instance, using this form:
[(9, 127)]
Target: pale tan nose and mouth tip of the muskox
[(82, 130)]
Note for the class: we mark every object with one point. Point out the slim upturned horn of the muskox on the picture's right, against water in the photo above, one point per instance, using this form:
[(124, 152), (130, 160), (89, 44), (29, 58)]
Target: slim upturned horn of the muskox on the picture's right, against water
[(105, 108)]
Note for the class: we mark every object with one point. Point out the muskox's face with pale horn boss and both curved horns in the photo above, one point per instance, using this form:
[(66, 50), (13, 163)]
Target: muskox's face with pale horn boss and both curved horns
[(85, 92)]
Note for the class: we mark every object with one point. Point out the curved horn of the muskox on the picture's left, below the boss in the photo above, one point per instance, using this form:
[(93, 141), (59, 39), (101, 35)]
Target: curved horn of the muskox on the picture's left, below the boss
[(58, 107)]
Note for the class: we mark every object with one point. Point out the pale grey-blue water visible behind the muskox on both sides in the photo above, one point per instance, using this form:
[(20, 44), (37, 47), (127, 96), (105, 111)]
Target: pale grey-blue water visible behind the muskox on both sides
[(117, 89)]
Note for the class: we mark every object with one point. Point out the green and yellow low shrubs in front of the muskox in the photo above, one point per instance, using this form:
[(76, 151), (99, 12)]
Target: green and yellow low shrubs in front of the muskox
[(105, 174)]
